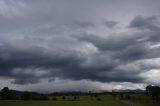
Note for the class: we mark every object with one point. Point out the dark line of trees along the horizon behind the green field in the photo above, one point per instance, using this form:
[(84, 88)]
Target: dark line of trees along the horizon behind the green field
[(7, 94)]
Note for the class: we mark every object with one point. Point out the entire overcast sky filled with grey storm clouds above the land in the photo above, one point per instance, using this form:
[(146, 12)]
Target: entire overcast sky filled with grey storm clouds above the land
[(79, 45)]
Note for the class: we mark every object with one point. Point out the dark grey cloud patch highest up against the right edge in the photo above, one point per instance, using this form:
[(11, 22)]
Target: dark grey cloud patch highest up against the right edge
[(148, 23)]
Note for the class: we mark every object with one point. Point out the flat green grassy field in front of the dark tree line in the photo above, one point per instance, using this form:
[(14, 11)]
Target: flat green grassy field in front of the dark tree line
[(139, 100)]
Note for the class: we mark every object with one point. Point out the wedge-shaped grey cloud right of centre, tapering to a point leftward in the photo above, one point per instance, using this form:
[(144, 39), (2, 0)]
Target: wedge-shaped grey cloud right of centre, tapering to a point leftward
[(125, 48)]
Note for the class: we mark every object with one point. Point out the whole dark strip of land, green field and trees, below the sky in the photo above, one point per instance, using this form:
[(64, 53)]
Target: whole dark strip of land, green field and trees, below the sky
[(16, 98)]
